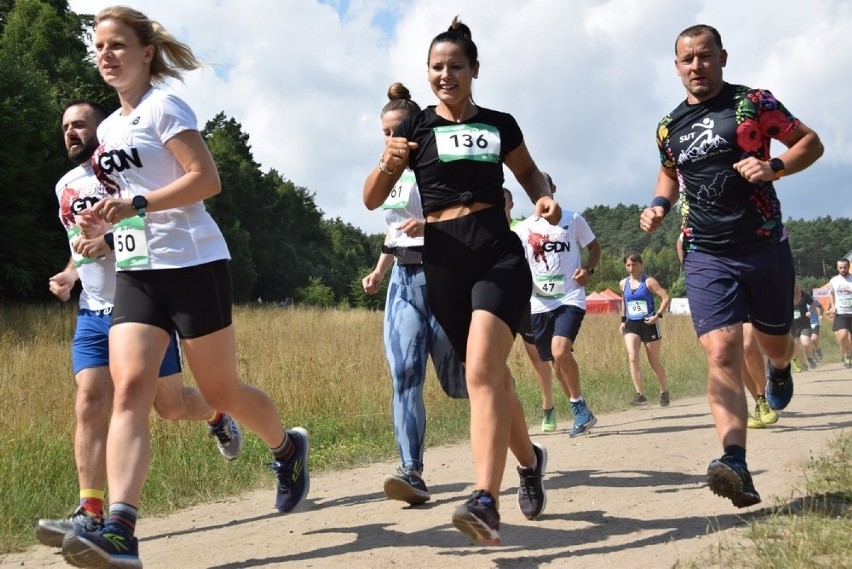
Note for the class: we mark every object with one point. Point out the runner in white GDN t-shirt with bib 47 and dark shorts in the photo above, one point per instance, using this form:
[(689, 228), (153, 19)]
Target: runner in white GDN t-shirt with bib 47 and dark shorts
[(558, 302)]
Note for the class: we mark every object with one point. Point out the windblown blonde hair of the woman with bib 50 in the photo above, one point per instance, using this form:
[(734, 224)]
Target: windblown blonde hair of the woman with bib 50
[(171, 57)]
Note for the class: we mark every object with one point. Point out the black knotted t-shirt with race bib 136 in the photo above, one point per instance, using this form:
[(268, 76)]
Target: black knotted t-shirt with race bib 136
[(460, 163)]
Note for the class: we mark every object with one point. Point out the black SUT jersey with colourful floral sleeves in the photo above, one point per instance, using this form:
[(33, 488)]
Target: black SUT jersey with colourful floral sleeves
[(721, 210)]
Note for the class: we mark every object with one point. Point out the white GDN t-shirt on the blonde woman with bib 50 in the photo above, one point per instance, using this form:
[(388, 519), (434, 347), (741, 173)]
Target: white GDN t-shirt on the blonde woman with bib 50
[(133, 159)]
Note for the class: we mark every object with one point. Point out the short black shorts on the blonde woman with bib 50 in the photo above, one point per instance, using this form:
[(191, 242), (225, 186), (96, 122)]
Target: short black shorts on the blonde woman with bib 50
[(194, 301)]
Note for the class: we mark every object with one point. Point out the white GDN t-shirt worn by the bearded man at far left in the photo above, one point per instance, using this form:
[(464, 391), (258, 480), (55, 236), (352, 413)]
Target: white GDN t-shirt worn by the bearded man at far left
[(76, 191)]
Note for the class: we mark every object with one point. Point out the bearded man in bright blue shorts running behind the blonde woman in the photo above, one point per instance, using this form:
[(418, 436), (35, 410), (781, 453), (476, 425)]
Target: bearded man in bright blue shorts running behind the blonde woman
[(93, 263)]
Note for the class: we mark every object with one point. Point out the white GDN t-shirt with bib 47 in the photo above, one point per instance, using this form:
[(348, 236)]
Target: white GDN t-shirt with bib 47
[(553, 253)]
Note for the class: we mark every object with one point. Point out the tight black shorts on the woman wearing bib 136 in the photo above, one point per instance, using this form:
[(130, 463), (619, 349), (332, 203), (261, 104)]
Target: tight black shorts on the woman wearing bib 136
[(475, 262)]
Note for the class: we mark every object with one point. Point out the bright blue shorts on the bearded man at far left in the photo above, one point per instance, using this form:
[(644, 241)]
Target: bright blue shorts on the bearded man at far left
[(91, 344)]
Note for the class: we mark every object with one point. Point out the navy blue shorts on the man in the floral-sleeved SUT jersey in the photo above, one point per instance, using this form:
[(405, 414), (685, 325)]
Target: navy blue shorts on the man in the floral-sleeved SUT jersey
[(724, 290)]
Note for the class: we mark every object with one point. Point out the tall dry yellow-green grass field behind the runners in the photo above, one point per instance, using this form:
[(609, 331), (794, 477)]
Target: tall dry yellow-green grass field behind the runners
[(325, 370)]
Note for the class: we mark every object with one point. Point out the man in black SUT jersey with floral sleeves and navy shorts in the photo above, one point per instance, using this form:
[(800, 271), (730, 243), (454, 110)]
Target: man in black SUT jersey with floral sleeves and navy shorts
[(716, 161)]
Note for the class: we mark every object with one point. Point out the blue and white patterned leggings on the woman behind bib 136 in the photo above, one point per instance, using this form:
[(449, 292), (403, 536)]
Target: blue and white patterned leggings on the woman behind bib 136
[(411, 333)]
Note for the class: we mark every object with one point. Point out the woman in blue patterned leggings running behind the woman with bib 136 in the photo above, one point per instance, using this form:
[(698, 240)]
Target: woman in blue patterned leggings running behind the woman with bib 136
[(411, 332)]
